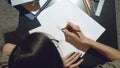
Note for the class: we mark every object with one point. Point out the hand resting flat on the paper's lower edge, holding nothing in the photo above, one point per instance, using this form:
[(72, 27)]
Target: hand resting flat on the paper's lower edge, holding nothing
[(70, 60)]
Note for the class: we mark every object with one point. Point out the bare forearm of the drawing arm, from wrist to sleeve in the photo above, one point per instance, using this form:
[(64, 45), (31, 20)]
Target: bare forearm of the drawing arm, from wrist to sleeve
[(108, 52)]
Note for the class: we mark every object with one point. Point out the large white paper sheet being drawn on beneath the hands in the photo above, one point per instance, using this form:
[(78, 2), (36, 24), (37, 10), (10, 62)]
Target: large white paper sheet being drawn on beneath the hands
[(58, 15)]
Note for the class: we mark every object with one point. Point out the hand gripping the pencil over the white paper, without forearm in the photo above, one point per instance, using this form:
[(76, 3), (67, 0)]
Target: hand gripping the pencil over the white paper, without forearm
[(74, 36)]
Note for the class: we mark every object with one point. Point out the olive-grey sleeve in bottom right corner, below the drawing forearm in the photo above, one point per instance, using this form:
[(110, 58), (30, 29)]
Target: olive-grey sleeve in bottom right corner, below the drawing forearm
[(113, 64)]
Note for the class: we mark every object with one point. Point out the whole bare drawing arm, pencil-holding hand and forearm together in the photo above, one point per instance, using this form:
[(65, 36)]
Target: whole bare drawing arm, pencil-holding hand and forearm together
[(78, 39)]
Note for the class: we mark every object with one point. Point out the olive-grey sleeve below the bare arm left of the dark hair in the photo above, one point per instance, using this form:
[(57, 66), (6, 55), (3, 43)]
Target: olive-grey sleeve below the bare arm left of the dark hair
[(4, 59)]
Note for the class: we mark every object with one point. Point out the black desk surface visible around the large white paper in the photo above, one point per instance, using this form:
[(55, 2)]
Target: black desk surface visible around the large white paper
[(107, 20)]
